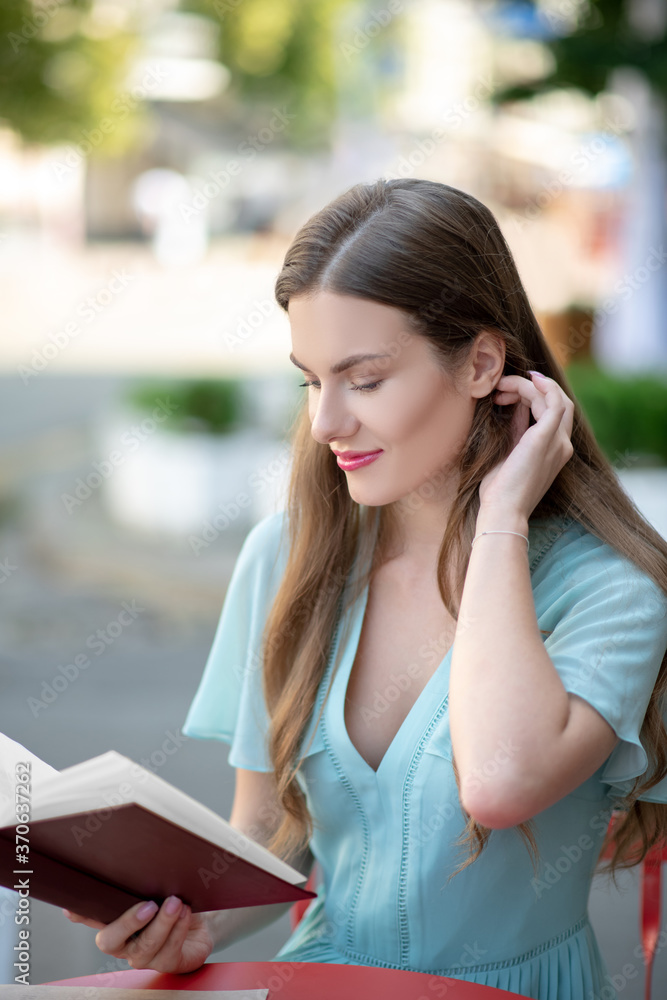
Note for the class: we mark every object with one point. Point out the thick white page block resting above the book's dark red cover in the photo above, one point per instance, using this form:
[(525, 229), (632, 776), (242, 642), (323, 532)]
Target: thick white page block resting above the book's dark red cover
[(112, 779)]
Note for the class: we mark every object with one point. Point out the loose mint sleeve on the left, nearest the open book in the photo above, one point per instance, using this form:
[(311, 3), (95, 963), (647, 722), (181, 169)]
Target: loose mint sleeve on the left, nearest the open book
[(229, 703)]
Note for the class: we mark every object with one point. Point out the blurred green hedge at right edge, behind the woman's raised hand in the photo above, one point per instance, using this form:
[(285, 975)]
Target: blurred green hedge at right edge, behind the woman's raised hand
[(628, 414)]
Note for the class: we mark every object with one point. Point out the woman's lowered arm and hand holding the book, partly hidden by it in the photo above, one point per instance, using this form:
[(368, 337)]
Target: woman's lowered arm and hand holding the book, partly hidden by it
[(181, 941)]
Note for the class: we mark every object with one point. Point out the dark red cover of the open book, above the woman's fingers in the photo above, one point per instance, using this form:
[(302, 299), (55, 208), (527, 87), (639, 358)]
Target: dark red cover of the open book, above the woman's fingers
[(100, 863)]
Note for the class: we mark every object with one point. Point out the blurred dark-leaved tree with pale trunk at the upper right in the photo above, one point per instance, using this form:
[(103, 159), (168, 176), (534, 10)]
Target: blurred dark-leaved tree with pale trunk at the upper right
[(608, 36)]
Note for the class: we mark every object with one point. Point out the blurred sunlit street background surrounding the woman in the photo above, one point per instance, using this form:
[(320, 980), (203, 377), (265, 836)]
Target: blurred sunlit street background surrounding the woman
[(156, 158)]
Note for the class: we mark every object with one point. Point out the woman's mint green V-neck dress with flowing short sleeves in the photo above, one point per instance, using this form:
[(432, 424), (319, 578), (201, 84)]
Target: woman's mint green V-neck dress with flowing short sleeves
[(385, 841)]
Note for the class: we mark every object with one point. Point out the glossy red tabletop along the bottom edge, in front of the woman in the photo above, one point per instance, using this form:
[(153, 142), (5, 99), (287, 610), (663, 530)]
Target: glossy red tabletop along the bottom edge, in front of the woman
[(301, 981)]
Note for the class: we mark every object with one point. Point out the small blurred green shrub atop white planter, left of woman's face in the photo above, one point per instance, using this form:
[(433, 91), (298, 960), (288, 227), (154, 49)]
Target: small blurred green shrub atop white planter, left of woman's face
[(214, 406)]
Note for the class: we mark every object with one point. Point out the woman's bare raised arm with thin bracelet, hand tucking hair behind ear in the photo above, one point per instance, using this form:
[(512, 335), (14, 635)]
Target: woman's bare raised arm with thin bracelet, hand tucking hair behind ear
[(520, 741)]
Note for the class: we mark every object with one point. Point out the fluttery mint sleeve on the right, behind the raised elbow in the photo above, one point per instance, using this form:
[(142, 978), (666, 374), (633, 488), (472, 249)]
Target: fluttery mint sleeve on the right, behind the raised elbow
[(607, 645)]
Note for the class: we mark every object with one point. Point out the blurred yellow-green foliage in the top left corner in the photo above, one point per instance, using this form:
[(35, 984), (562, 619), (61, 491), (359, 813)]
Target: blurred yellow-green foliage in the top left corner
[(61, 70)]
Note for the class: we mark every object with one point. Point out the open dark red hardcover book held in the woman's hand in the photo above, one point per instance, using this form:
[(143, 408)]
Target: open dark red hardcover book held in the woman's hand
[(104, 834)]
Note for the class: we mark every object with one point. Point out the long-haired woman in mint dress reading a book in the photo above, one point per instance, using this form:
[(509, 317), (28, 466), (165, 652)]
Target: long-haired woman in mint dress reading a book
[(442, 665)]
